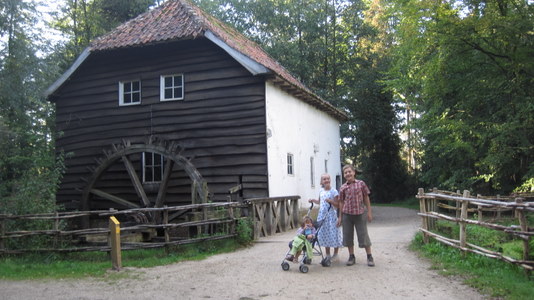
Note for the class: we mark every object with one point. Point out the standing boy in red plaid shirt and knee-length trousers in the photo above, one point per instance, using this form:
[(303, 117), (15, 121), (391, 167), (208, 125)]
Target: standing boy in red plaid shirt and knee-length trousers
[(355, 211)]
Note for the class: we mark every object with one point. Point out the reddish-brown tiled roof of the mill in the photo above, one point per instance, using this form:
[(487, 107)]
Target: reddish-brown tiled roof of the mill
[(180, 20)]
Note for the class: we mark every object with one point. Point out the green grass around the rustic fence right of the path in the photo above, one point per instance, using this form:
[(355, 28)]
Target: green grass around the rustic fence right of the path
[(491, 277)]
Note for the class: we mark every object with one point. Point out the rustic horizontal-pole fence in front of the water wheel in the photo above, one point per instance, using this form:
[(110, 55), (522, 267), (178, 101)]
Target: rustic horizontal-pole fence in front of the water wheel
[(211, 221)]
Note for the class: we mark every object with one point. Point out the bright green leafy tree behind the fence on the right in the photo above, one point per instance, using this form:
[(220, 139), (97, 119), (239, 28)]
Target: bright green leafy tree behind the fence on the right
[(466, 68)]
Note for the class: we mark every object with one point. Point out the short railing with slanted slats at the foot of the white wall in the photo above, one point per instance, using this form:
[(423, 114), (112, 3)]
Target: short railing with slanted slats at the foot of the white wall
[(274, 215)]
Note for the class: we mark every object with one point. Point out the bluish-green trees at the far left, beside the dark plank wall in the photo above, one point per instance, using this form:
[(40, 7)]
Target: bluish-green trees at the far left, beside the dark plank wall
[(28, 170)]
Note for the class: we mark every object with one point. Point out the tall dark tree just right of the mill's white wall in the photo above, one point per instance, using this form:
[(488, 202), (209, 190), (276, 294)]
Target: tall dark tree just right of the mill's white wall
[(372, 130)]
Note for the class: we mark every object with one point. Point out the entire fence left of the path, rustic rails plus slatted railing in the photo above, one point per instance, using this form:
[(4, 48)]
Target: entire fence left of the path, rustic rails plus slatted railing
[(209, 221)]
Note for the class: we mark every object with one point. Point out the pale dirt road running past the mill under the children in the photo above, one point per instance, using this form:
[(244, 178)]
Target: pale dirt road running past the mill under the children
[(255, 273)]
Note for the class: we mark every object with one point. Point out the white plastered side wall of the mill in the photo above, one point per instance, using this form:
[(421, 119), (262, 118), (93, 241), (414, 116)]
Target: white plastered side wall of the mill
[(296, 127)]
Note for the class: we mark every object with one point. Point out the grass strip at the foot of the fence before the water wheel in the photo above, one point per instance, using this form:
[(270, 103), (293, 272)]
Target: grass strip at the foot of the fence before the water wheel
[(98, 264)]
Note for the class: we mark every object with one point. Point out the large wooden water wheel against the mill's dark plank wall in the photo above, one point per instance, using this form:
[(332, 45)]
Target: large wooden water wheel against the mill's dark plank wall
[(122, 162)]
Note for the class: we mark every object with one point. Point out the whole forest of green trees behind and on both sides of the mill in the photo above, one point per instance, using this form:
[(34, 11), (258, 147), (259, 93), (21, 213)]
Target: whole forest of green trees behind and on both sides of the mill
[(439, 93)]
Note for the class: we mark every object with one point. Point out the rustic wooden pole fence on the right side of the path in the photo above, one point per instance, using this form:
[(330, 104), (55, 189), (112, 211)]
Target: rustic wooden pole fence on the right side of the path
[(484, 210)]
